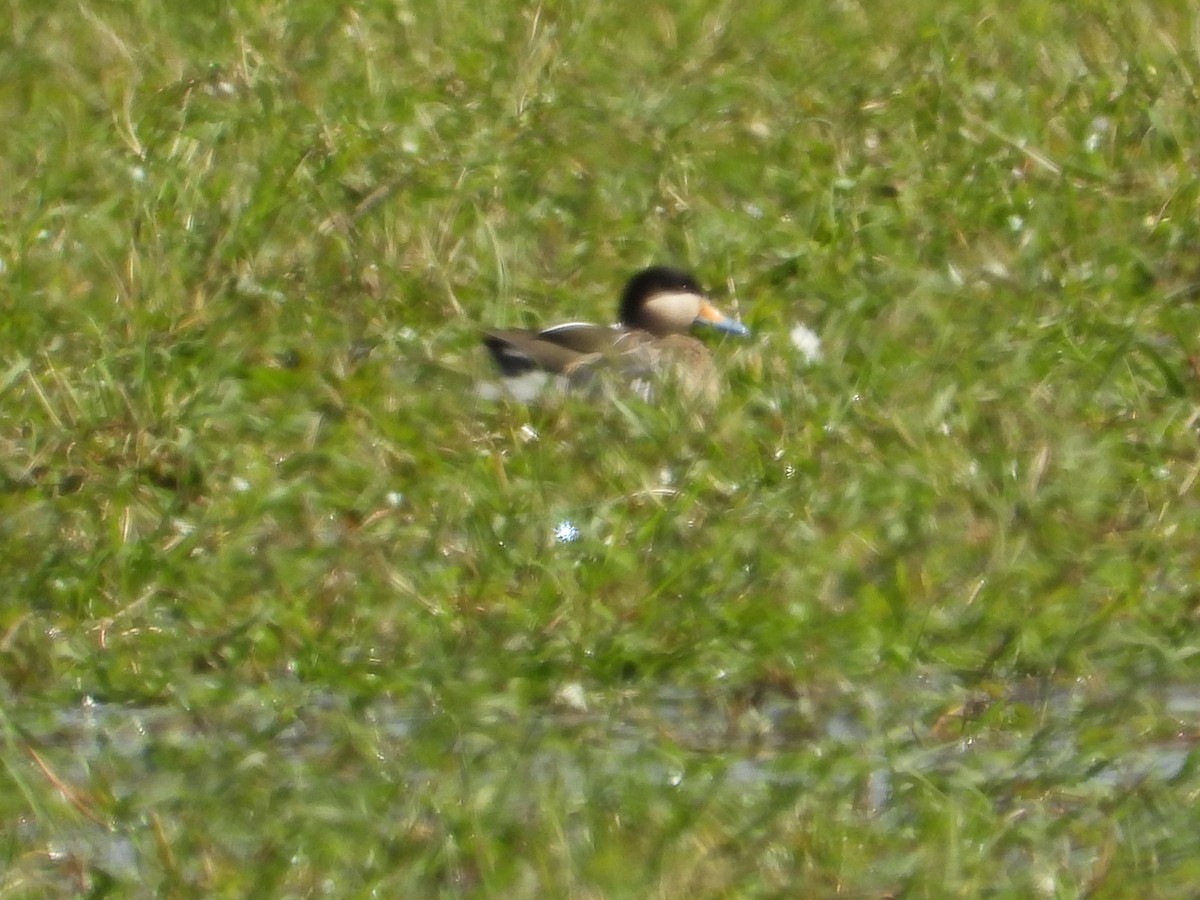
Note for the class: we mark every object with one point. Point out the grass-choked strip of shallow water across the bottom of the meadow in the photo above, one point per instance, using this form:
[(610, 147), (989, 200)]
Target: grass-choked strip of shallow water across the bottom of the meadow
[(865, 742)]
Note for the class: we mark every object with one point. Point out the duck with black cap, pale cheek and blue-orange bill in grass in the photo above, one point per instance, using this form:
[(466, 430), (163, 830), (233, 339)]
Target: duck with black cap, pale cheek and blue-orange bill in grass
[(659, 307)]
